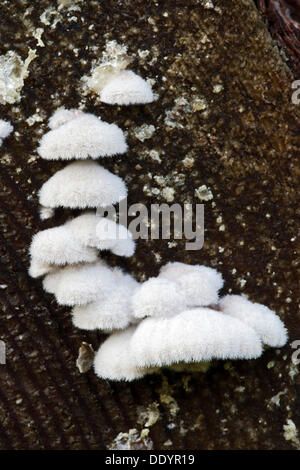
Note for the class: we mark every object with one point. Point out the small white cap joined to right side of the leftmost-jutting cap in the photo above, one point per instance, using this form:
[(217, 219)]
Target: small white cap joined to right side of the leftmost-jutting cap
[(114, 237)]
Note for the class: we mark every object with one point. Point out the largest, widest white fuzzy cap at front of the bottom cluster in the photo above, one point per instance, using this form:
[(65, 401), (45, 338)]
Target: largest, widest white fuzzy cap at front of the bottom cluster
[(195, 335)]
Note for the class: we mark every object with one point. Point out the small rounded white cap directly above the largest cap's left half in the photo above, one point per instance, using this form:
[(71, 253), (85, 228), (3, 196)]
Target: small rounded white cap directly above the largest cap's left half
[(158, 297)]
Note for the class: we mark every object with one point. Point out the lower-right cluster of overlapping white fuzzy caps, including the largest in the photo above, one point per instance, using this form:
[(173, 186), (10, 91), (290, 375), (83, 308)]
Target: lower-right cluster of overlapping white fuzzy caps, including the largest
[(181, 319)]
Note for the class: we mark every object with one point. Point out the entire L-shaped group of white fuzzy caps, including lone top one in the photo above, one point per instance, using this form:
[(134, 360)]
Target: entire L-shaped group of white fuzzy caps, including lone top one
[(174, 318)]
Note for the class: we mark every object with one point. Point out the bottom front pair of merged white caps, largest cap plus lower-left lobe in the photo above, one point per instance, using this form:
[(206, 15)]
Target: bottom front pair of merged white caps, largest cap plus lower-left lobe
[(193, 336)]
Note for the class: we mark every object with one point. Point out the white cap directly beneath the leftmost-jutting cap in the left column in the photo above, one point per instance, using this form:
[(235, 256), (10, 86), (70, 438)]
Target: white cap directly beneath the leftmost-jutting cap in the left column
[(81, 284)]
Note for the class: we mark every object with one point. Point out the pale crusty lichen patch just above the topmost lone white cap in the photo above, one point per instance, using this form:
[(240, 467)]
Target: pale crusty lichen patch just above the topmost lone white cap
[(113, 60)]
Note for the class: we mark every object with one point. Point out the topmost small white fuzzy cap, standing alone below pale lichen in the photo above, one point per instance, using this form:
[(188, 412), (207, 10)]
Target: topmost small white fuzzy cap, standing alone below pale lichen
[(126, 88)]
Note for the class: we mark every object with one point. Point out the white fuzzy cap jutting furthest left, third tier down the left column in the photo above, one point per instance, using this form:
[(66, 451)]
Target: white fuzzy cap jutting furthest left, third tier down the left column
[(59, 246)]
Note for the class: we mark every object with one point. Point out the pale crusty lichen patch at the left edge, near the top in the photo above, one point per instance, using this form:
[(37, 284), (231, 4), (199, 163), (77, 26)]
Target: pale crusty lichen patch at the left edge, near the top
[(13, 72)]
